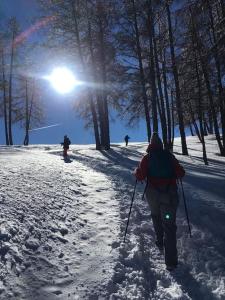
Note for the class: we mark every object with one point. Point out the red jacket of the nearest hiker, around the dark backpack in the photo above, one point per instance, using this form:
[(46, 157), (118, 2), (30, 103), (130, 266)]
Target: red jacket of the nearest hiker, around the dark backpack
[(141, 171)]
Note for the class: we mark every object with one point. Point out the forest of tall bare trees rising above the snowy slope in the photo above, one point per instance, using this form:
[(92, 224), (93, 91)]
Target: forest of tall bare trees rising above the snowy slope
[(160, 61)]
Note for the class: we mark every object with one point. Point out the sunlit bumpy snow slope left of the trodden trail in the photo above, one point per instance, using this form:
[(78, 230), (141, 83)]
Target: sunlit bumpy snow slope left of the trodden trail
[(55, 227)]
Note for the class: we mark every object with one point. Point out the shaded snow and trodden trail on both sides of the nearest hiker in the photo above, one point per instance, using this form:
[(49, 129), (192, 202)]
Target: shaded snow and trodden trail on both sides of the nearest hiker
[(140, 272)]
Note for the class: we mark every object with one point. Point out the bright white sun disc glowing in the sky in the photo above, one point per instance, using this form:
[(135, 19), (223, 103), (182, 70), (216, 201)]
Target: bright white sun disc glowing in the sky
[(62, 80)]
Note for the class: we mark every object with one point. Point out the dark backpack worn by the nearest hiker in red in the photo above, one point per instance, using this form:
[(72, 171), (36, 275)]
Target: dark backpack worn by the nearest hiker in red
[(161, 164)]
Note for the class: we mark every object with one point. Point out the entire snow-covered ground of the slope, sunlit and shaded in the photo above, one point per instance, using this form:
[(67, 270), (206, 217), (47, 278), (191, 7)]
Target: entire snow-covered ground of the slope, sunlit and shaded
[(62, 226)]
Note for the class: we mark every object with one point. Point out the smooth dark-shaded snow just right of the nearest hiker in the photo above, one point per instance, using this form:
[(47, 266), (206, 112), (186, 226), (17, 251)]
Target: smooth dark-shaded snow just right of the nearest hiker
[(204, 190)]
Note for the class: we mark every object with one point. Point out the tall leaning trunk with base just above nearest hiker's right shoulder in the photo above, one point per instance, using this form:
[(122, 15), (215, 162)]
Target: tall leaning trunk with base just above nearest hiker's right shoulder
[(177, 85)]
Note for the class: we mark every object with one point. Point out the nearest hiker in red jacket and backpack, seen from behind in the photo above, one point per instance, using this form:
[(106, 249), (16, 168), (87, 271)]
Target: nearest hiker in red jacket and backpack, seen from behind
[(161, 169)]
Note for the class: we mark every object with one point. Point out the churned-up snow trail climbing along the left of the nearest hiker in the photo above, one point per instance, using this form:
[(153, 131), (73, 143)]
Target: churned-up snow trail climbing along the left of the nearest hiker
[(139, 272)]
